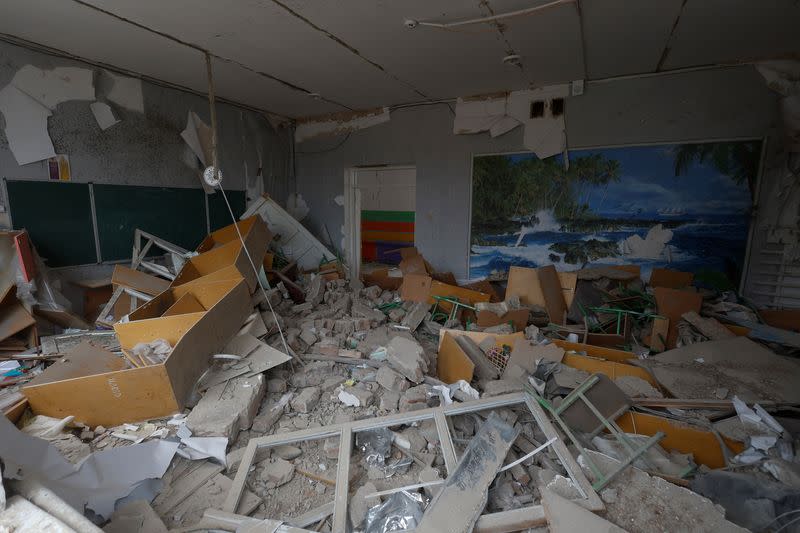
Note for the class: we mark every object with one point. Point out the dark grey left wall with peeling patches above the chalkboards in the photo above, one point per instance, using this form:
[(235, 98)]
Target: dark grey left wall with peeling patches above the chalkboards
[(146, 149)]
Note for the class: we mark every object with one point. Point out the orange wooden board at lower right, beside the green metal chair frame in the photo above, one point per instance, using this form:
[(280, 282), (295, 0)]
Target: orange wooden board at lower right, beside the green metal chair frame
[(683, 438)]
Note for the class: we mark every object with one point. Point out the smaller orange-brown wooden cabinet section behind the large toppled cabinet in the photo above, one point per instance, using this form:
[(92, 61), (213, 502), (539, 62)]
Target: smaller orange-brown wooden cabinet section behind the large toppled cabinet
[(221, 256)]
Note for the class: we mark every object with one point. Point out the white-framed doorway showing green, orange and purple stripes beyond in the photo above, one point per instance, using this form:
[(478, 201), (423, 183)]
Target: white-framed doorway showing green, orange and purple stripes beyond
[(380, 213)]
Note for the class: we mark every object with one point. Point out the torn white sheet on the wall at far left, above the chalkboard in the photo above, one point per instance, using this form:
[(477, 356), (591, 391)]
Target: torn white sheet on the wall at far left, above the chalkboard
[(26, 126)]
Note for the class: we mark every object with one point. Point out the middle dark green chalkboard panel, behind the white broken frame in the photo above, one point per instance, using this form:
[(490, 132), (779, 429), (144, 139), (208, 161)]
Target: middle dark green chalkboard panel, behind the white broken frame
[(176, 215)]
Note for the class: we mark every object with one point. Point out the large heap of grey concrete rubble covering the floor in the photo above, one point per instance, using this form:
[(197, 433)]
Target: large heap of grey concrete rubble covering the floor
[(356, 354)]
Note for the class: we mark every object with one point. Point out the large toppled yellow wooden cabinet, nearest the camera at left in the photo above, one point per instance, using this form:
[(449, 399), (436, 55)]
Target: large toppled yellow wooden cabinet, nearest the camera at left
[(92, 386)]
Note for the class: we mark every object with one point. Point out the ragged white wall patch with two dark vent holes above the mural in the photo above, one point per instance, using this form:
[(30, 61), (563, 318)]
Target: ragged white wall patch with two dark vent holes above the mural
[(543, 124)]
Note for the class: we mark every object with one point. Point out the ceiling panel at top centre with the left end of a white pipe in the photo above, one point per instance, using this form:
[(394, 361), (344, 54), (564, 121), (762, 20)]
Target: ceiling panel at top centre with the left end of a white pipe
[(440, 63)]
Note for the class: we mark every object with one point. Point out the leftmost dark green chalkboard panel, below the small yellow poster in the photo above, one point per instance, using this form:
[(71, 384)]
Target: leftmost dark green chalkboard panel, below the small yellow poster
[(58, 217)]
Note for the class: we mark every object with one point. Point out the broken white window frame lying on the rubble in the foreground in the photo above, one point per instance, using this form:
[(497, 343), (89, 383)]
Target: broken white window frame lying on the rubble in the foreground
[(513, 520)]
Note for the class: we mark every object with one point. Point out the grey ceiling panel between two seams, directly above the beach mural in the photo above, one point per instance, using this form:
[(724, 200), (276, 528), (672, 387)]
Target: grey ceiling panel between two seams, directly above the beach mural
[(608, 43)]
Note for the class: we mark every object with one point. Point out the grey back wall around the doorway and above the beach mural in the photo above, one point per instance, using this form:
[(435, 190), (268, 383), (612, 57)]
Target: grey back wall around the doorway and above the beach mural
[(713, 104)]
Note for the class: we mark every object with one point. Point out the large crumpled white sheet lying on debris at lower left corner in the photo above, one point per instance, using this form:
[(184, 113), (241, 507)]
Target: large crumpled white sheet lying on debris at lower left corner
[(98, 482)]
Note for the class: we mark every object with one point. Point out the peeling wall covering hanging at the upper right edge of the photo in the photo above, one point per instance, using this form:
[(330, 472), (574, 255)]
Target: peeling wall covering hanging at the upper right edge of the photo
[(783, 77)]
